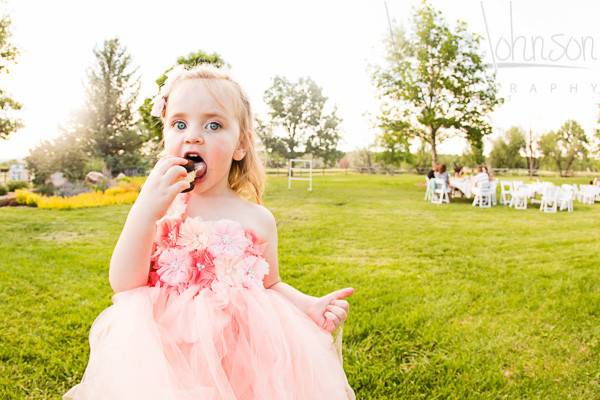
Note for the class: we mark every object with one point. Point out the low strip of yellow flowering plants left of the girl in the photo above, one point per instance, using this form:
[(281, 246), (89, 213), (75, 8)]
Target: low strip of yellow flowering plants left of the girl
[(125, 192)]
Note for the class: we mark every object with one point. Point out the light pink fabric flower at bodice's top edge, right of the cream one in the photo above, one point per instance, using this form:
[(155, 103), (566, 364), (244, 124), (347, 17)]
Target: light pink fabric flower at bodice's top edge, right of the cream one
[(227, 239)]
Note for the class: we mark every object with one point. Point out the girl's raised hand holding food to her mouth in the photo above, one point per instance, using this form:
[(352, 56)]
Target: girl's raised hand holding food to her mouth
[(165, 181)]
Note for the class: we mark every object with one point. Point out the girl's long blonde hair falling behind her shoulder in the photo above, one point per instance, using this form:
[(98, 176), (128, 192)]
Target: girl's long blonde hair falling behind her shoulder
[(246, 176)]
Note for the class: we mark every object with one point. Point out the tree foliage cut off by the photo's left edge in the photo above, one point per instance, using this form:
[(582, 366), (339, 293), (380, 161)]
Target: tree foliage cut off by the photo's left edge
[(8, 54)]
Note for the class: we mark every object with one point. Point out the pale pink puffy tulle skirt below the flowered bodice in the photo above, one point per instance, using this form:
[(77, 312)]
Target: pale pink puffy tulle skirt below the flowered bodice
[(235, 343)]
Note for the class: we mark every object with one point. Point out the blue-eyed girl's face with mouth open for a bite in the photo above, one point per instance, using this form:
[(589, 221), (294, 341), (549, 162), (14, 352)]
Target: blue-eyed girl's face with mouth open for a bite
[(195, 122)]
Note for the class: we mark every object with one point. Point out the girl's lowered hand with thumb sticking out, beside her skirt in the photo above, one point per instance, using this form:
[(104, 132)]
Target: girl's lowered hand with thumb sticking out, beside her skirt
[(331, 310)]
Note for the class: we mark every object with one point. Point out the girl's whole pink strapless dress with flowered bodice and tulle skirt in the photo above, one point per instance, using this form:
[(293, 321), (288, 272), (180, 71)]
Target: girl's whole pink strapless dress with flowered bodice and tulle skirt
[(205, 328)]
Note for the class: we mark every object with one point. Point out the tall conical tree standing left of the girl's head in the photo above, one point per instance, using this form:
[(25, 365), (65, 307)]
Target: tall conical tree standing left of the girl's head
[(108, 121)]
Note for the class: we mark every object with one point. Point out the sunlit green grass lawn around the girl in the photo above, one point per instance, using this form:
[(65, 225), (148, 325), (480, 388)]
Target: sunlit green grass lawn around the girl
[(451, 301)]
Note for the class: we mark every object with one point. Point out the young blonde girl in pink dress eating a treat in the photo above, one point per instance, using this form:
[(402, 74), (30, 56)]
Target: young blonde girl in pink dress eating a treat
[(199, 310)]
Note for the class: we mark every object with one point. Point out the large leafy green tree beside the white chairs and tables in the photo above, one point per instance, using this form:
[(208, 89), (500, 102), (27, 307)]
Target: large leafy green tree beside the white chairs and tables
[(436, 81)]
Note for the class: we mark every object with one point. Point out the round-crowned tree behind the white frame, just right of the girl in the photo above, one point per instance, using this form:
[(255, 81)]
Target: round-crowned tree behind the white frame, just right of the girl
[(298, 109)]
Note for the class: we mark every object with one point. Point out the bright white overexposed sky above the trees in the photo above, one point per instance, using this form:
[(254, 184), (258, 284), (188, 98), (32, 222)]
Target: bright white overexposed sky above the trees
[(334, 42)]
